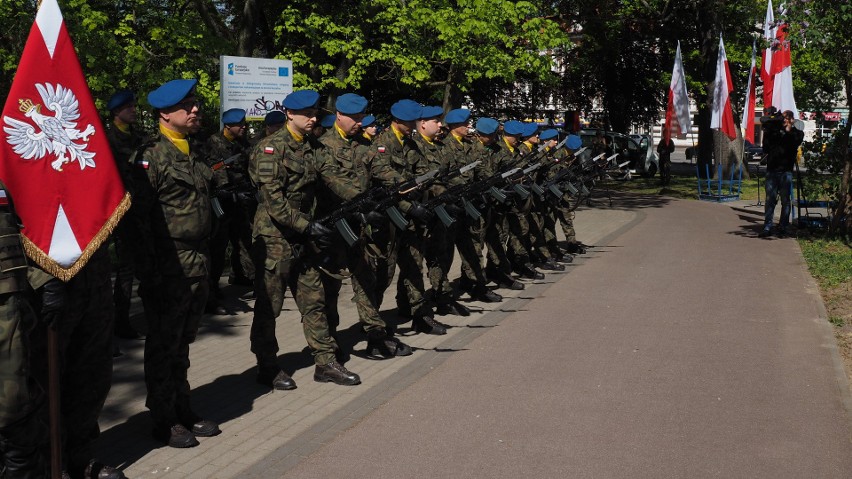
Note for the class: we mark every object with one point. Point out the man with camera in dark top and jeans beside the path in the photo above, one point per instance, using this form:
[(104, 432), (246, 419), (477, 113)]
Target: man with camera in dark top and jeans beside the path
[(781, 140)]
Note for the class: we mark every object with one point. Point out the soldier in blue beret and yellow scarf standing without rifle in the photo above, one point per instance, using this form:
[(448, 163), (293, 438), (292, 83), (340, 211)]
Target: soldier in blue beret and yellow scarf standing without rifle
[(173, 216)]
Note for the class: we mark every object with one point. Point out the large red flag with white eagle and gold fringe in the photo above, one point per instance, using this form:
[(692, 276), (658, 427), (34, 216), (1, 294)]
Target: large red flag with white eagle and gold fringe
[(54, 155)]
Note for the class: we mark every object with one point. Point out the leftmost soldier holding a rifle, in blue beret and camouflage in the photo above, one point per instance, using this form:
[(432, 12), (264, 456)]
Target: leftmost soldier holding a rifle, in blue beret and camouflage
[(284, 168)]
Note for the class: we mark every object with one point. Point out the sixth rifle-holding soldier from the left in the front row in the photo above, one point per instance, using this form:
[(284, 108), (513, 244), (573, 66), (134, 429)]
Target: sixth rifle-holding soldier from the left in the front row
[(495, 159)]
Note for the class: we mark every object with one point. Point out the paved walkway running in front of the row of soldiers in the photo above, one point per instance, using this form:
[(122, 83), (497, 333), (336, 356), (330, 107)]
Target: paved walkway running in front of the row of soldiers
[(680, 346)]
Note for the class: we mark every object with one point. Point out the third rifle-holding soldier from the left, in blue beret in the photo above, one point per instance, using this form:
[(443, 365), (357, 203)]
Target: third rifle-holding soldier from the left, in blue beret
[(392, 159)]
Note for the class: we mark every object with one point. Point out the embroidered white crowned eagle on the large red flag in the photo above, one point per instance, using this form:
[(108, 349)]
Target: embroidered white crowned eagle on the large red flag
[(58, 133)]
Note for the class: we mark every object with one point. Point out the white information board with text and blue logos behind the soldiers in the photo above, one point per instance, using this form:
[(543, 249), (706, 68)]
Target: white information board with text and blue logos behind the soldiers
[(256, 85)]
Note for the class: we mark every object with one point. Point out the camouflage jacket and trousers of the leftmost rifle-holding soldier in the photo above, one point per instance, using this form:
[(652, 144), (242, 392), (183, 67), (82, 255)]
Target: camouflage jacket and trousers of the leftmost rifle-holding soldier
[(285, 172)]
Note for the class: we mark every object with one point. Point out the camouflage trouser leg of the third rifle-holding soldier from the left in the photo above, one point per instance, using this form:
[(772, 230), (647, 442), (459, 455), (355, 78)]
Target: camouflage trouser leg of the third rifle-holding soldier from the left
[(409, 286)]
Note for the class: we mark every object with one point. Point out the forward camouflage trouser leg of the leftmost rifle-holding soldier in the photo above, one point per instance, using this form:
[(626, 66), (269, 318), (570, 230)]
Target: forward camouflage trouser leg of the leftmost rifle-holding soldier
[(310, 299)]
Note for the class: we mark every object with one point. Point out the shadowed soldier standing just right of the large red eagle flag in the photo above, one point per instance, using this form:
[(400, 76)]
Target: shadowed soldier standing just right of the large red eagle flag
[(123, 141)]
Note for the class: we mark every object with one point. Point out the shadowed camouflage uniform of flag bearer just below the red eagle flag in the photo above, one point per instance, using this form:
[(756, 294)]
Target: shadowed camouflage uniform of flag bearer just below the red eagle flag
[(84, 330)]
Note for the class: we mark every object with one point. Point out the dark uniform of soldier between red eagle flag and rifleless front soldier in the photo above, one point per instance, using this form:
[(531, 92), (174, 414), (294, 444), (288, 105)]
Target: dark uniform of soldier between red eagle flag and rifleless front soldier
[(123, 145)]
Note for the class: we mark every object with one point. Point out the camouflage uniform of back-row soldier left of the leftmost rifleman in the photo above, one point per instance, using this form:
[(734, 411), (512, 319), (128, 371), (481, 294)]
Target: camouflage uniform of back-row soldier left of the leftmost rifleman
[(239, 207)]
